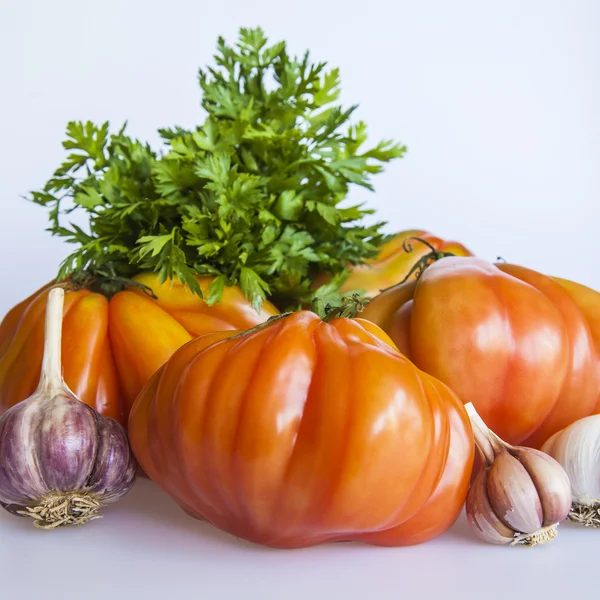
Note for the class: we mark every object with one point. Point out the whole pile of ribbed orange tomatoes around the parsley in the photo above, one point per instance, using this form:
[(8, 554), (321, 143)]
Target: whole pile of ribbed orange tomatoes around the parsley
[(297, 429)]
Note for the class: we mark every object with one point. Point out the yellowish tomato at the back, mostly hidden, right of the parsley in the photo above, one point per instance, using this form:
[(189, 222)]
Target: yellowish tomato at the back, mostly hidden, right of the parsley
[(393, 263)]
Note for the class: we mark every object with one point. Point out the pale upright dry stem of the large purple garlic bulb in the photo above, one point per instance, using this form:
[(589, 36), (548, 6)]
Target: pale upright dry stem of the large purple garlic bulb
[(51, 375)]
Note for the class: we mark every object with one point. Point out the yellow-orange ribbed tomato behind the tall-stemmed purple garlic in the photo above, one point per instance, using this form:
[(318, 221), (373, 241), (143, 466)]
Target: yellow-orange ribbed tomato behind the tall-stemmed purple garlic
[(111, 348)]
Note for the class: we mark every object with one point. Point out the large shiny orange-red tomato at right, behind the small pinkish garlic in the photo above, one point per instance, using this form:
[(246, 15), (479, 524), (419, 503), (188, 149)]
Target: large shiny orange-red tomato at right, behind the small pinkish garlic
[(524, 348)]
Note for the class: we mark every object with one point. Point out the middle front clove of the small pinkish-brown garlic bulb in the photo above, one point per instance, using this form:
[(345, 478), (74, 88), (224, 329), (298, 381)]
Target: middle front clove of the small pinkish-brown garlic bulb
[(513, 495)]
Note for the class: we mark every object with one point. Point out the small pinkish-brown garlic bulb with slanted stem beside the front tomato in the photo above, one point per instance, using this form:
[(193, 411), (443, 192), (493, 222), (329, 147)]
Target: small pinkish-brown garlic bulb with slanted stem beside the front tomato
[(520, 494)]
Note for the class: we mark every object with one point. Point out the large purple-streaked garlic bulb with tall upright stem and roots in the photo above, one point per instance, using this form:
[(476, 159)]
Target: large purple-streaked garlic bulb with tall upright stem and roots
[(60, 461)]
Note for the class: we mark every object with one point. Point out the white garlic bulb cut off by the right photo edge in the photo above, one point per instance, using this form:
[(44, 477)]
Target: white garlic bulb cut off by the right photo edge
[(577, 449)]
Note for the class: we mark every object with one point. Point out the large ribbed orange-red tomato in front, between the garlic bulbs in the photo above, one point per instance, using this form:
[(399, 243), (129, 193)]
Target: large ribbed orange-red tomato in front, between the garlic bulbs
[(302, 432)]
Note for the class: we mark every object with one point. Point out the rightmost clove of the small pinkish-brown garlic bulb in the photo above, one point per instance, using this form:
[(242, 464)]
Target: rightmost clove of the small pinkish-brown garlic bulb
[(552, 483)]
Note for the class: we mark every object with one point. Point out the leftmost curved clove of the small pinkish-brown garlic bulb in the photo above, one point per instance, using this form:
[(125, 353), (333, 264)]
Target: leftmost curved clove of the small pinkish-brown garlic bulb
[(481, 516)]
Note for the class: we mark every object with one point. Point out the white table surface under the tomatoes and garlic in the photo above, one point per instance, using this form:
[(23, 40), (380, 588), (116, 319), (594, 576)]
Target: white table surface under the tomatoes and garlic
[(145, 547)]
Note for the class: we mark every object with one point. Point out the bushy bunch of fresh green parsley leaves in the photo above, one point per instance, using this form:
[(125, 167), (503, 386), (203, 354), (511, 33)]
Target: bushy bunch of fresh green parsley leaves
[(253, 196)]
